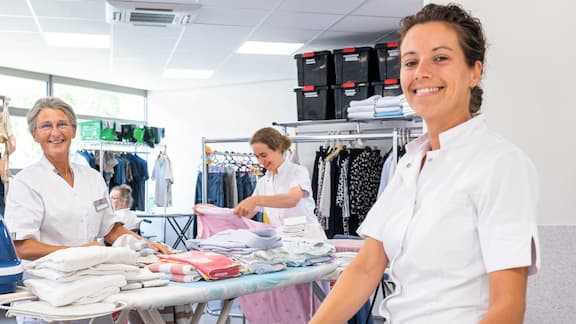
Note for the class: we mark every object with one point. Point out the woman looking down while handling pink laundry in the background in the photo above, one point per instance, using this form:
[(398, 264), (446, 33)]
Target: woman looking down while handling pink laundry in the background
[(285, 191)]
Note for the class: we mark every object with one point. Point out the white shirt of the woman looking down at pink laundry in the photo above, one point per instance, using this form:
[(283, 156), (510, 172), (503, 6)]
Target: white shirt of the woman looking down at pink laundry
[(289, 175)]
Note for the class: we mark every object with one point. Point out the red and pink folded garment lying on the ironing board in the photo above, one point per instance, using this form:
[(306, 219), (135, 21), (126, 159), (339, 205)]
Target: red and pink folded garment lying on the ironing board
[(212, 266)]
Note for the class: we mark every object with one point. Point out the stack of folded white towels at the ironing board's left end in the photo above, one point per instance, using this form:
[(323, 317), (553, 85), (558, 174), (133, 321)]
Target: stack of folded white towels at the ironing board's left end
[(84, 275)]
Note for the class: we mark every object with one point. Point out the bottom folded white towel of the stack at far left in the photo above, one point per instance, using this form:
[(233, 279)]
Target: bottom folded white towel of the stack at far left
[(86, 290)]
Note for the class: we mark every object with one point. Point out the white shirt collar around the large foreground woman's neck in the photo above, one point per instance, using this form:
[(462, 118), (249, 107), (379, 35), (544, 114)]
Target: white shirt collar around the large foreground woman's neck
[(454, 136)]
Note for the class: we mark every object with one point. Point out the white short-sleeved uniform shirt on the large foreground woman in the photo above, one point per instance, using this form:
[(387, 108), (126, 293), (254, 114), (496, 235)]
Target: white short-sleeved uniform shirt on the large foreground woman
[(471, 210)]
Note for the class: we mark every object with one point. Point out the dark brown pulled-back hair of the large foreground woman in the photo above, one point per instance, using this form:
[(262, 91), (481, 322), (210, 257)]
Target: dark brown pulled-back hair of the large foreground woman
[(470, 35)]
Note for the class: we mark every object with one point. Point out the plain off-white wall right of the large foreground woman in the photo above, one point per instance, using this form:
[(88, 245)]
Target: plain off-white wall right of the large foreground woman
[(529, 89)]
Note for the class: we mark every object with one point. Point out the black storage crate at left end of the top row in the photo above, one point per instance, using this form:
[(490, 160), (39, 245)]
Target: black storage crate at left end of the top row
[(315, 68)]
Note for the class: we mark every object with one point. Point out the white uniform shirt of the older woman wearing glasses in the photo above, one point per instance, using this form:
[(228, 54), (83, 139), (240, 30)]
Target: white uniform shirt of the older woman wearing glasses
[(41, 205)]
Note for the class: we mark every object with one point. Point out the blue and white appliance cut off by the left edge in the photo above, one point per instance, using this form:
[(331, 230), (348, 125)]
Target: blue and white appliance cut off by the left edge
[(10, 267)]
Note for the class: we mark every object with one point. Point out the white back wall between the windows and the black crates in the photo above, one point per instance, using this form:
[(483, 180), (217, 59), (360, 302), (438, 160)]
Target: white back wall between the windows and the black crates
[(232, 111)]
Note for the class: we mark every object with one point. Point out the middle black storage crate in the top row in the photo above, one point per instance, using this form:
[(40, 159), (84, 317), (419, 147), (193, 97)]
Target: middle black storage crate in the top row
[(355, 64)]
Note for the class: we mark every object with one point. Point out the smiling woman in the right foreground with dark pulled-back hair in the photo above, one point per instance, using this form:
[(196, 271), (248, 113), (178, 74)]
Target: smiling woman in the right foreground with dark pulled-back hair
[(457, 223)]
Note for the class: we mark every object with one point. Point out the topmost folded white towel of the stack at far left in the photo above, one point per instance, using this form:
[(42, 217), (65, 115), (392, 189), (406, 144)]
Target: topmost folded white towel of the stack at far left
[(77, 258)]
